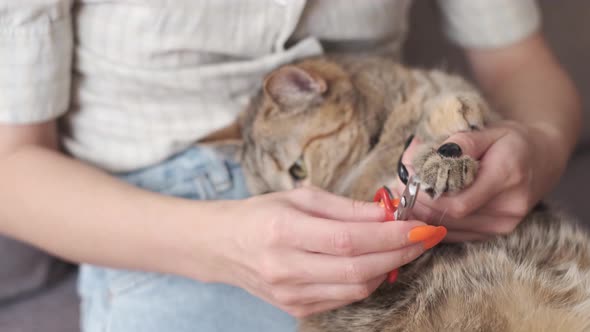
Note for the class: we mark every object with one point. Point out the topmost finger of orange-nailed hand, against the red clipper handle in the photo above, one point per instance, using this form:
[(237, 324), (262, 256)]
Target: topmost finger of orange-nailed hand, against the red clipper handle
[(330, 206)]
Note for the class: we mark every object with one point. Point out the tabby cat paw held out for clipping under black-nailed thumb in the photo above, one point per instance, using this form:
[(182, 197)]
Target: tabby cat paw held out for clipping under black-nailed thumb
[(443, 170)]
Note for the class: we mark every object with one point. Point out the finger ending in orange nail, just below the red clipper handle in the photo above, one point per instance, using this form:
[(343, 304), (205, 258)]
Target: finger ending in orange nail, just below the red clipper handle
[(351, 239)]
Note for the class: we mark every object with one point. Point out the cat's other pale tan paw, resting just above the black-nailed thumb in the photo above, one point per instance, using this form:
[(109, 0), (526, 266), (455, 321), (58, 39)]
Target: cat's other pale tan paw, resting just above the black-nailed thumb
[(448, 114)]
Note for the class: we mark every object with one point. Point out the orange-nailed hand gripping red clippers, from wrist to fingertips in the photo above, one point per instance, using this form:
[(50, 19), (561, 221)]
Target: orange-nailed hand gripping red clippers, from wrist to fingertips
[(307, 251)]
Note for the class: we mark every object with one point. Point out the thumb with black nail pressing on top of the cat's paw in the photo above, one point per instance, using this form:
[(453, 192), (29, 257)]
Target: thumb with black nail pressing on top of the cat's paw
[(474, 143)]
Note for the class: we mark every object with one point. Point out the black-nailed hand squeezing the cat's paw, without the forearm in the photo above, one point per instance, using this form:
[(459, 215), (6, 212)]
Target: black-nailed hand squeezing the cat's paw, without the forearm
[(517, 167)]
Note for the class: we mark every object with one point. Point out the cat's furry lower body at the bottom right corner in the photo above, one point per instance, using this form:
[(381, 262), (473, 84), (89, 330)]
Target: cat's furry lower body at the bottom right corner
[(536, 279)]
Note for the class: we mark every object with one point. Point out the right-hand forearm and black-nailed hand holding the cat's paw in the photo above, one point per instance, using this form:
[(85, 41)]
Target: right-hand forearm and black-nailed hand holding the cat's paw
[(519, 161)]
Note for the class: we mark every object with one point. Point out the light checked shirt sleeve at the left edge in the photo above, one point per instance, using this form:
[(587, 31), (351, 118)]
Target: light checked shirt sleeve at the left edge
[(36, 45)]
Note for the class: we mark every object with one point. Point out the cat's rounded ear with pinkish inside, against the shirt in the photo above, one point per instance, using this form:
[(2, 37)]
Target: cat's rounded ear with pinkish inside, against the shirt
[(292, 86)]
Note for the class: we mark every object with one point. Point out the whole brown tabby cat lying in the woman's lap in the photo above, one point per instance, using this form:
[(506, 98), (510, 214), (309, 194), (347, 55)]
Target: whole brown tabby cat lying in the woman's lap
[(344, 122)]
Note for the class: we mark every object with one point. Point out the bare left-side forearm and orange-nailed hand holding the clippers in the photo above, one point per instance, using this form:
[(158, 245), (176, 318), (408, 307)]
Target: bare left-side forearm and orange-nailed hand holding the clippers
[(304, 250)]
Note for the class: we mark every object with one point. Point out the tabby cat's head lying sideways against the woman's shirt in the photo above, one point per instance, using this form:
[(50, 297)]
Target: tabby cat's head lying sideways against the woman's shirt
[(301, 129)]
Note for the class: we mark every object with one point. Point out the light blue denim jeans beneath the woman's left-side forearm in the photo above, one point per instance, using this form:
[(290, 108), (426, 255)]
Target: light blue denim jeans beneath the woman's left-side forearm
[(129, 301)]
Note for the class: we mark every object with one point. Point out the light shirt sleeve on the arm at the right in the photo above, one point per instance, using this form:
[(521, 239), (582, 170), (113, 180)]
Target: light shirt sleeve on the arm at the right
[(489, 24)]
